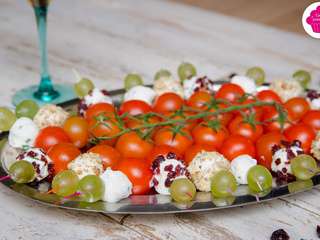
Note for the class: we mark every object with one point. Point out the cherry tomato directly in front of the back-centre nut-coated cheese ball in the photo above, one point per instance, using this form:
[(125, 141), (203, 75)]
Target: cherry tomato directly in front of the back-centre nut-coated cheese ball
[(168, 102)]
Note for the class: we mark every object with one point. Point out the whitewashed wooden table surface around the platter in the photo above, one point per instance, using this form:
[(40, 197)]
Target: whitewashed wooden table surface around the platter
[(107, 39)]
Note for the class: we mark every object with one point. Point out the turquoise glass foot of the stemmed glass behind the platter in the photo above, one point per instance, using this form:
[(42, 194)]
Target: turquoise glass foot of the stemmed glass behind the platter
[(64, 92)]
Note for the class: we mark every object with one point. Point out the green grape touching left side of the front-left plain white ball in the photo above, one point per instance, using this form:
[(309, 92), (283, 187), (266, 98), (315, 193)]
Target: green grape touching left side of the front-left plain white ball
[(91, 188)]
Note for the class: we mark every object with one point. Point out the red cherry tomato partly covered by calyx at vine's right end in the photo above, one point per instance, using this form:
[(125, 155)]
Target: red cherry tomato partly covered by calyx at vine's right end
[(272, 124)]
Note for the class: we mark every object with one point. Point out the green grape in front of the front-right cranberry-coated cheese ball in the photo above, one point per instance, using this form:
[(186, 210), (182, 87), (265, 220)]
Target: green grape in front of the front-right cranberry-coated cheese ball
[(304, 166)]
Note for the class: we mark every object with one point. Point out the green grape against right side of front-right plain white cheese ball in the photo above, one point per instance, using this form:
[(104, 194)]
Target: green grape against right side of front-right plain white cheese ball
[(259, 179)]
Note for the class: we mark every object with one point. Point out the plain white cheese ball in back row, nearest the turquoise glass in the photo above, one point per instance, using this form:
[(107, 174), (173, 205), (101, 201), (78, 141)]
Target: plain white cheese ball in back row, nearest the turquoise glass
[(142, 93)]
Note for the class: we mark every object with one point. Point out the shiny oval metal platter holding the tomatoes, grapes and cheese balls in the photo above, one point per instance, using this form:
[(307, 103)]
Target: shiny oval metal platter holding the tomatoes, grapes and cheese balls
[(147, 204)]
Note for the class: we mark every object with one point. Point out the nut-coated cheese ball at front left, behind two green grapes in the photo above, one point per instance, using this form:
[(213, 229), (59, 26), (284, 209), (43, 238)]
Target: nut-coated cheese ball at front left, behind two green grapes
[(87, 164)]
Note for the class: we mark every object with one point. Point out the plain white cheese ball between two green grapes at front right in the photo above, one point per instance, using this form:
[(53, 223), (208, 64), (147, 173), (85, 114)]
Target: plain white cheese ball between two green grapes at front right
[(240, 167)]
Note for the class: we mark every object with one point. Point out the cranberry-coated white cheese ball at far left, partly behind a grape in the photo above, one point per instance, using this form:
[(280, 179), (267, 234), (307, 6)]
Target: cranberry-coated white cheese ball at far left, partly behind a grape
[(41, 162)]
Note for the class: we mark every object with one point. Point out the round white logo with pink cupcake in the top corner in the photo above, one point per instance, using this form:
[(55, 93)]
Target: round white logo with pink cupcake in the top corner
[(311, 20)]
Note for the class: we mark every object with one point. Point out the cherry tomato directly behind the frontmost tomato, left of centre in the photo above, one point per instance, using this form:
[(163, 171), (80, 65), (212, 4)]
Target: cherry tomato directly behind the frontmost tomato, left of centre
[(130, 145)]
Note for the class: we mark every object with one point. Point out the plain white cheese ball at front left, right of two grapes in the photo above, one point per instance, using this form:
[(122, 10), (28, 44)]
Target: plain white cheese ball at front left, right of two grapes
[(117, 186)]
